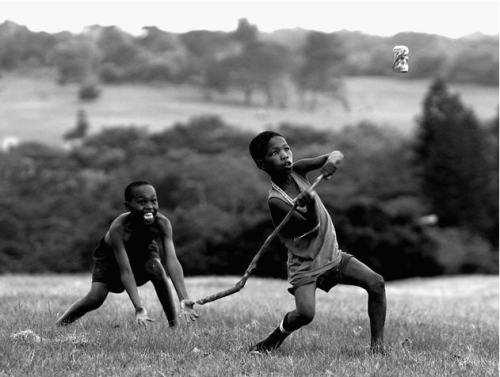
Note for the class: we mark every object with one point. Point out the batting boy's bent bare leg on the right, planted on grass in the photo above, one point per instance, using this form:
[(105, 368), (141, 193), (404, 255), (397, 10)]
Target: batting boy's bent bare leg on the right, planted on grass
[(360, 275)]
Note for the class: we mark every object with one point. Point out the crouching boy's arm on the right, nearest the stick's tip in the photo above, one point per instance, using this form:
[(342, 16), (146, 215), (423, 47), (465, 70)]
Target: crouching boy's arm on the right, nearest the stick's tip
[(175, 271)]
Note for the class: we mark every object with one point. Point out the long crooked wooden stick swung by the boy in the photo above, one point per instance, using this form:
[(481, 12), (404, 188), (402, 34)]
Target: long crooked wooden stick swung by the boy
[(240, 284)]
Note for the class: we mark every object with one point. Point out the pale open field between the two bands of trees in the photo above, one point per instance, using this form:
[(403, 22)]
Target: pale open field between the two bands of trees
[(35, 107)]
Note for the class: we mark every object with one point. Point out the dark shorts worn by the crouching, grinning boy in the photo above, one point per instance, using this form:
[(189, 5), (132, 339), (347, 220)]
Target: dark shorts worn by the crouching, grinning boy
[(106, 268)]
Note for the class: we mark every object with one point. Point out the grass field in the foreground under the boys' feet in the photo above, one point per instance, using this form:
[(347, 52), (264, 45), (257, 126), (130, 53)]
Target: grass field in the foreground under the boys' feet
[(451, 324)]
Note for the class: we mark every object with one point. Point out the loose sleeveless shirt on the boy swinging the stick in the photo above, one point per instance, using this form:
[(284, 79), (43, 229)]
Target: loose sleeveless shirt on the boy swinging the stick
[(310, 254)]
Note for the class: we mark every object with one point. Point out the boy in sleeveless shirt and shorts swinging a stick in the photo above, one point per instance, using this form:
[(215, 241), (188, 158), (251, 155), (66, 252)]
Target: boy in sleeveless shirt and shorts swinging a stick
[(314, 258)]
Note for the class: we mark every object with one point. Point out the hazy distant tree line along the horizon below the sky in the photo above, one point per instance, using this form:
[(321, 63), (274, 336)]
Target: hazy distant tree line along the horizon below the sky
[(277, 65)]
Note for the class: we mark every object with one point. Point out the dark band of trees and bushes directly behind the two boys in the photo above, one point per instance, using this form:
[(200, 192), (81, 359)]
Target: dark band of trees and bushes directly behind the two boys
[(407, 206)]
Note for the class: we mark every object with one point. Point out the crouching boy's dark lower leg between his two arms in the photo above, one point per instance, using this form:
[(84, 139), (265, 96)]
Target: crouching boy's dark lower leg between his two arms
[(163, 290)]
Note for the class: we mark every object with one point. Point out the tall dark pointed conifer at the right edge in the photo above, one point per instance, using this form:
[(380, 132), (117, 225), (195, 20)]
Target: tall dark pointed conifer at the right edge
[(452, 162)]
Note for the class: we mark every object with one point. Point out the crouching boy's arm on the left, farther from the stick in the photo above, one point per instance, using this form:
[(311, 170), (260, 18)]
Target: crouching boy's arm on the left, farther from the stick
[(126, 275)]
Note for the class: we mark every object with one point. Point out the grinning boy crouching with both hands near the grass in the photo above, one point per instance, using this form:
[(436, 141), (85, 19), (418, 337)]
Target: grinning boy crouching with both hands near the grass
[(128, 257)]
